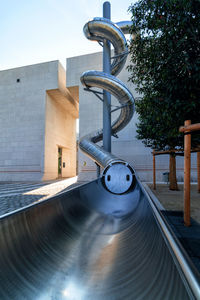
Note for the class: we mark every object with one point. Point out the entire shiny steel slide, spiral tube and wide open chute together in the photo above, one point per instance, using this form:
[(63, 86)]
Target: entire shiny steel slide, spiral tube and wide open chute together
[(93, 244)]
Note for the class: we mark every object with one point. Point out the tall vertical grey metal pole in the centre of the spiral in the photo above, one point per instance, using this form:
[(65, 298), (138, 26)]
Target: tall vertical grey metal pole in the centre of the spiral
[(106, 95)]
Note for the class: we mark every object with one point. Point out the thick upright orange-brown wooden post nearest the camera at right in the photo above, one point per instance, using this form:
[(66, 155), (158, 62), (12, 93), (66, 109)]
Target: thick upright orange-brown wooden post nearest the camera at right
[(187, 165)]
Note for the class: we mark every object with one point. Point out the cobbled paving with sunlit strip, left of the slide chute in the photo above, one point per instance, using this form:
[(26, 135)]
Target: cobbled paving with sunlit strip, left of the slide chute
[(18, 194)]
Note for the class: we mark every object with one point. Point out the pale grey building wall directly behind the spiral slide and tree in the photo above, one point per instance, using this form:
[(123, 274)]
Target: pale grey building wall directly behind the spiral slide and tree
[(127, 146)]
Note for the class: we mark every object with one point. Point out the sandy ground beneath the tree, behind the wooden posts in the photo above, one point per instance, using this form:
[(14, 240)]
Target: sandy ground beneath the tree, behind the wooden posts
[(173, 200)]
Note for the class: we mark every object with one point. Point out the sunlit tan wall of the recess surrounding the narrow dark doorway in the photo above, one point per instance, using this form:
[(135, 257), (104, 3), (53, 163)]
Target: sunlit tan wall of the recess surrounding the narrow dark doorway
[(60, 132)]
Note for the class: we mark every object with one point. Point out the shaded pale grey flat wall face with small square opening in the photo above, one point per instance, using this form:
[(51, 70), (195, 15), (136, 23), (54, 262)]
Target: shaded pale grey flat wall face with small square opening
[(22, 123)]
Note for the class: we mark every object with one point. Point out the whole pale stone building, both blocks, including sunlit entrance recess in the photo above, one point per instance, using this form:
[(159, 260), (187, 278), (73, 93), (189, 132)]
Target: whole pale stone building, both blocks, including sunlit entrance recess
[(38, 124)]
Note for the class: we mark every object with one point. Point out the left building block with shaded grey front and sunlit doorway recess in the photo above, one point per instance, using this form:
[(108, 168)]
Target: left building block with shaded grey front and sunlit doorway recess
[(37, 123)]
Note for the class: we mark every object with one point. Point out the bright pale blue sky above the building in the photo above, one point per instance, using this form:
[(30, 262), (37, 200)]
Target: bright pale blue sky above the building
[(34, 31)]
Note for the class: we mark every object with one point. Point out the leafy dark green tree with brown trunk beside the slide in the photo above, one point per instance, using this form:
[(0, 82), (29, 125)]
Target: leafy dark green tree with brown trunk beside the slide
[(165, 66)]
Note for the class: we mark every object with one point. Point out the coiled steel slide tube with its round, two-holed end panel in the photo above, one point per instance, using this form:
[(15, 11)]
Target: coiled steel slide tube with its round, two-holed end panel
[(117, 175)]
